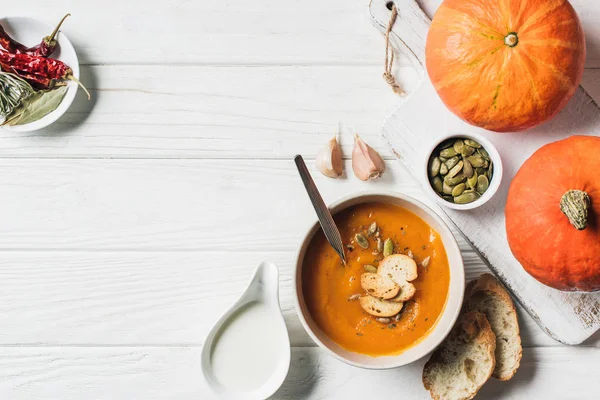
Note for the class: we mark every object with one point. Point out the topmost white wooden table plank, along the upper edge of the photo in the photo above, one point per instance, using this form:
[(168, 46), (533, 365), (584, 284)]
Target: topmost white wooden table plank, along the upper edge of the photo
[(234, 31)]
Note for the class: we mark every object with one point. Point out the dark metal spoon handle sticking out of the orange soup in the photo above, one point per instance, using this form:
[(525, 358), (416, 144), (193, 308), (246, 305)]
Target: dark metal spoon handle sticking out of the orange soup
[(325, 219)]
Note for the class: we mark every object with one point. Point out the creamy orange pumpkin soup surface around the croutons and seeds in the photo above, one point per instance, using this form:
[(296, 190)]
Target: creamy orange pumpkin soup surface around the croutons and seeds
[(327, 284)]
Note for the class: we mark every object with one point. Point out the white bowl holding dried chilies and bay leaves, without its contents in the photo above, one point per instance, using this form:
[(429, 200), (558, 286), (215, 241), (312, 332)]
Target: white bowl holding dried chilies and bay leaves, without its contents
[(30, 32)]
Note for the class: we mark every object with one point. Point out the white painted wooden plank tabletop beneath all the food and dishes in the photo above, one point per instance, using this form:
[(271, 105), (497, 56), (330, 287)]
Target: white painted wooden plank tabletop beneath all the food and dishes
[(130, 225)]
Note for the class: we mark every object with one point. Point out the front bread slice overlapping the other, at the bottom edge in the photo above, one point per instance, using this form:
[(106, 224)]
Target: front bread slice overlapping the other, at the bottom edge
[(463, 362)]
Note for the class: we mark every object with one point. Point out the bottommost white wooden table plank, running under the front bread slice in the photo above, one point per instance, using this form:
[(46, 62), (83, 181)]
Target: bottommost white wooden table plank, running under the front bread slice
[(152, 373)]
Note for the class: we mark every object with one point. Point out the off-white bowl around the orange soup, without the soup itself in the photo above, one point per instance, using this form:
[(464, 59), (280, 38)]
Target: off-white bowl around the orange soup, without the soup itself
[(451, 308)]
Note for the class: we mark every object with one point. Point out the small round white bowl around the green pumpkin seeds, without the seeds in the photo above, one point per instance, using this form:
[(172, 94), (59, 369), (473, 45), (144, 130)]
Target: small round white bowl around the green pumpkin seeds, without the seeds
[(494, 182)]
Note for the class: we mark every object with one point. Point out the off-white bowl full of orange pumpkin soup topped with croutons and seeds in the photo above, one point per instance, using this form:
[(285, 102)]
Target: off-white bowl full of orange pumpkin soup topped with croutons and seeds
[(399, 293)]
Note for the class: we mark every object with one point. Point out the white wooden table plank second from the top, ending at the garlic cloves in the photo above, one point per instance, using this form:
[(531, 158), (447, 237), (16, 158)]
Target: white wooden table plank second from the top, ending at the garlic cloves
[(216, 112)]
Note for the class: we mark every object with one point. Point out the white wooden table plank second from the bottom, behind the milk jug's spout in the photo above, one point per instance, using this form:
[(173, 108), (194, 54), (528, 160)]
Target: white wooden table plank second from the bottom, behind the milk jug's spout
[(148, 298)]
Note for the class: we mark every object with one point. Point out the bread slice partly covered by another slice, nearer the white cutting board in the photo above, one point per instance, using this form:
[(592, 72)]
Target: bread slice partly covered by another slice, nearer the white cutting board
[(488, 296)]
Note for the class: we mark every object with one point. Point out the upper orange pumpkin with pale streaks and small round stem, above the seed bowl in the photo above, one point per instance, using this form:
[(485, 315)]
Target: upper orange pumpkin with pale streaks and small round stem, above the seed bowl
[(505, 65)]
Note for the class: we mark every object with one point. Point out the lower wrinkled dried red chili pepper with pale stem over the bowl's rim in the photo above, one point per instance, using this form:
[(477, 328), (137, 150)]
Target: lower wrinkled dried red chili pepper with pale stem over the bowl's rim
[(41, 72)]
